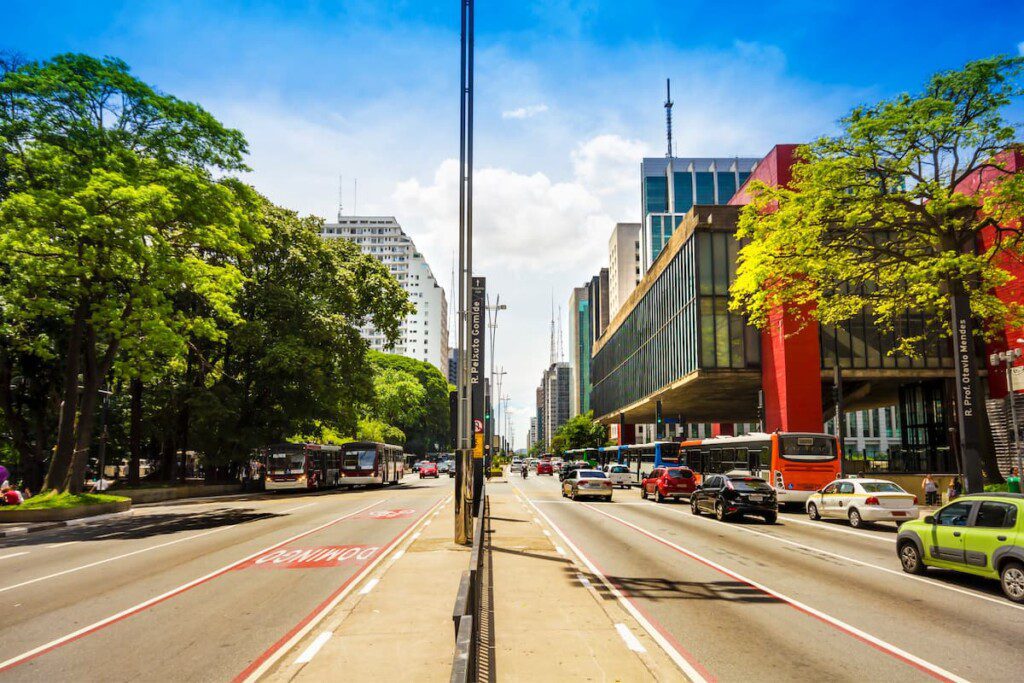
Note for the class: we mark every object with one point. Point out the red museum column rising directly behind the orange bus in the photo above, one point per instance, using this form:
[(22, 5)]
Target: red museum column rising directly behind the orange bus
[(791, 373)]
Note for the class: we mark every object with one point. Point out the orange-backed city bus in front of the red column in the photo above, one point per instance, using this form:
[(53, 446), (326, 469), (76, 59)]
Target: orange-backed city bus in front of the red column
[(796, 464)]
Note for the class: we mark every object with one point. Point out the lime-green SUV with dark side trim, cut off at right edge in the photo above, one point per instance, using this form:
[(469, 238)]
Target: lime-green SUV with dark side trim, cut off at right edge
[(979, 534)]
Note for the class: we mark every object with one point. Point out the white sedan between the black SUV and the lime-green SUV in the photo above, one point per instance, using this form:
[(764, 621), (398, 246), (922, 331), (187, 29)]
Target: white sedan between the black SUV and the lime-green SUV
[(861, 501)]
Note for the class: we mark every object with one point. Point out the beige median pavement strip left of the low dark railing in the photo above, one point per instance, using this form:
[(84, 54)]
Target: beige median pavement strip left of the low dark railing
[(402, 629)]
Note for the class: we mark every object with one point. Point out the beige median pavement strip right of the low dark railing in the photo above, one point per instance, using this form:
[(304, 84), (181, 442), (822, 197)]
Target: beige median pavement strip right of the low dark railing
[(547, 625)]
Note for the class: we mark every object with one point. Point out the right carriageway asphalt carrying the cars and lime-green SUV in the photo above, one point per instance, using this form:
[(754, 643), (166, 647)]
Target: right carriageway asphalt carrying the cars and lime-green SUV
[(797, 601)]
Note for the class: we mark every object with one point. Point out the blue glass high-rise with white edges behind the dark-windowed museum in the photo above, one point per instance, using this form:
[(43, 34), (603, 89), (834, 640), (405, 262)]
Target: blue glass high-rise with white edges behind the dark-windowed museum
[(670, 187)]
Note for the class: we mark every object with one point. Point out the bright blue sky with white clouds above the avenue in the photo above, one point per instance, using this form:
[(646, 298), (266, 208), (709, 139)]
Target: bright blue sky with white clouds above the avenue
[(569, 101)]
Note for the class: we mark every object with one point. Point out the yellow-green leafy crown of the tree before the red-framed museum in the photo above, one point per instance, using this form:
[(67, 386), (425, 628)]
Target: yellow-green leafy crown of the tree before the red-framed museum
[(878, 219)]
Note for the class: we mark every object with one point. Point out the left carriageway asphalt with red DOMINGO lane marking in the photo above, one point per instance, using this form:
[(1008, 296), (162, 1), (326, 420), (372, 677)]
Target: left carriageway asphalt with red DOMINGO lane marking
[(202, 591)]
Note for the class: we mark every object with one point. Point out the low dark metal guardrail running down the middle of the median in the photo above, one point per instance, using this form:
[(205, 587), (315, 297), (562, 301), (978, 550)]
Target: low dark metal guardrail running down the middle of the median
[(466, 616)]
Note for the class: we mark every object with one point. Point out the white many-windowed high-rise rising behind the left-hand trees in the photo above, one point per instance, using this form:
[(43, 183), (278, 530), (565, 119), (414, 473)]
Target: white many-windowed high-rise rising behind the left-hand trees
[(423, 335)]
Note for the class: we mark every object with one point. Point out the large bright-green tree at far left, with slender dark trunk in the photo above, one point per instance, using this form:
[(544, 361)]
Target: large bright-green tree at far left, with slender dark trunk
[(110, 212)]
